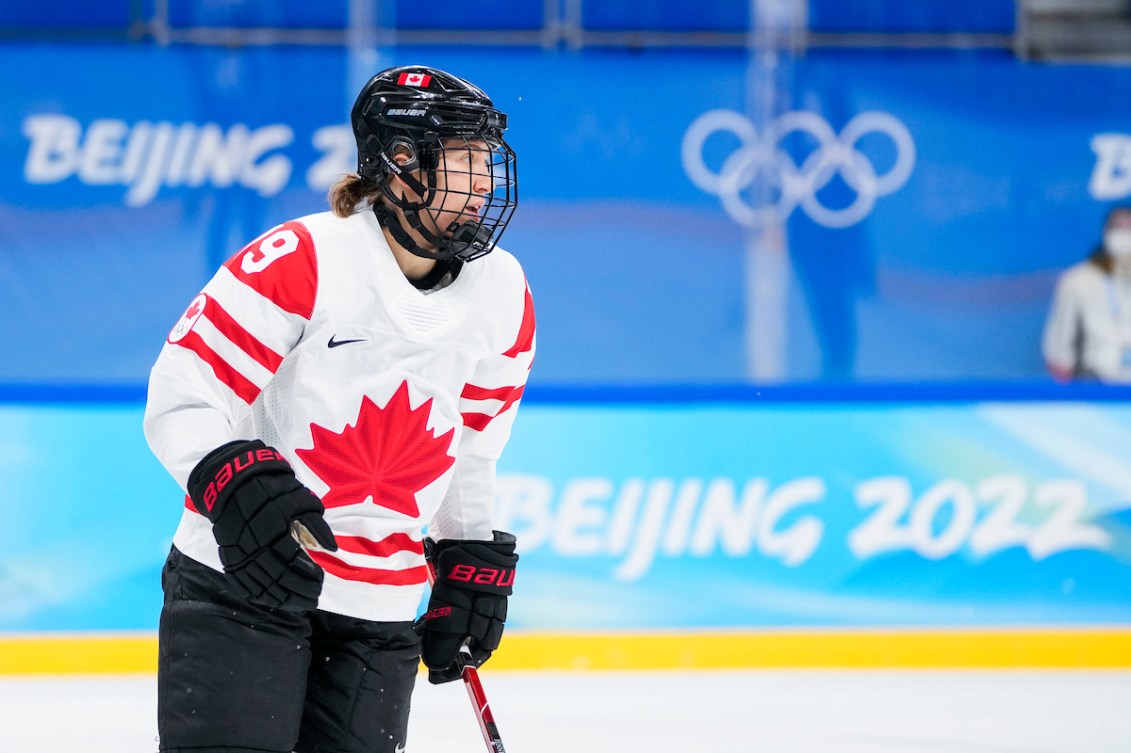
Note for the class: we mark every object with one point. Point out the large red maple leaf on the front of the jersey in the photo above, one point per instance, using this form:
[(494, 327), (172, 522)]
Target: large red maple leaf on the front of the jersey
[(388, 455)]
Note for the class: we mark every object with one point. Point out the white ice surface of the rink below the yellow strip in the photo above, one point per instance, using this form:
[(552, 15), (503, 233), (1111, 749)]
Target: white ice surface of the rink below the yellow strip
[(657, 713)]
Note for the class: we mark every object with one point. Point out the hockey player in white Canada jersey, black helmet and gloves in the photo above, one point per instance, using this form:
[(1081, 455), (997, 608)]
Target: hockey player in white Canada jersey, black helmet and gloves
[(342, 383)]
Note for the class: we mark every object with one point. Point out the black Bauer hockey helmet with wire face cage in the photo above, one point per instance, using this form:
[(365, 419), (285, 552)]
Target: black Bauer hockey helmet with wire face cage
[(420, 115)]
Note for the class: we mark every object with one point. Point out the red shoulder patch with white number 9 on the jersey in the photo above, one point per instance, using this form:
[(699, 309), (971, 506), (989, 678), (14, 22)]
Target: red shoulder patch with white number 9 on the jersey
[(282, 267)]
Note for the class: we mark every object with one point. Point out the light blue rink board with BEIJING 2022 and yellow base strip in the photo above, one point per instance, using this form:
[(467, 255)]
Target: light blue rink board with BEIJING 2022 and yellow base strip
[(738, 534)]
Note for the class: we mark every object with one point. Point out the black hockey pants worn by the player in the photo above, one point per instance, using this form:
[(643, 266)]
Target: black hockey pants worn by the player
[(236, 678)]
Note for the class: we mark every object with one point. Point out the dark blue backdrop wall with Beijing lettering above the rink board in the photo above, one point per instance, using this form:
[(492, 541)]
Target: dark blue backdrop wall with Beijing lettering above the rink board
[(640, 275)]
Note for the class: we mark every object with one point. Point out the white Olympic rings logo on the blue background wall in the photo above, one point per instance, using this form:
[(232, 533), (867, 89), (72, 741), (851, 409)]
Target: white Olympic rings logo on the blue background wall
[(762, 157)]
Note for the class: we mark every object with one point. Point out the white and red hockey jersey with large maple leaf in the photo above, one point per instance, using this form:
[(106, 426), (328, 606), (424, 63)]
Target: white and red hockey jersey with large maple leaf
[(392, 404)]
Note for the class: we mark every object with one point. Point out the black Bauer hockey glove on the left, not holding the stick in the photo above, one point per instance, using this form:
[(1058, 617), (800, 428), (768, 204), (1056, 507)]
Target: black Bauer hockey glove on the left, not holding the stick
[(257, 507)]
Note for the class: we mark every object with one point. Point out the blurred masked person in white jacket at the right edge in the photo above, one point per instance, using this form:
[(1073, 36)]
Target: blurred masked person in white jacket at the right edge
[(1089, 333)]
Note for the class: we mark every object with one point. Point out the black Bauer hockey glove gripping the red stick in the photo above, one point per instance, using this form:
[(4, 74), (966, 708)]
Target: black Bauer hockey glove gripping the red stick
[(473, 581)]
